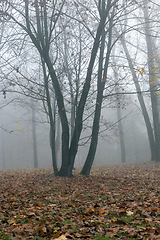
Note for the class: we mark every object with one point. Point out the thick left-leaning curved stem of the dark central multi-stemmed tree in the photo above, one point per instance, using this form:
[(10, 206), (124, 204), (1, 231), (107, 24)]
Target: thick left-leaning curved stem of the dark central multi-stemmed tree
[(41, 42)]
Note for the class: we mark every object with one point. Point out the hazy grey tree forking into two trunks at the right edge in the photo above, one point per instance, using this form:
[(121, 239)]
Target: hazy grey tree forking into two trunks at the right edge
[(135, 71)]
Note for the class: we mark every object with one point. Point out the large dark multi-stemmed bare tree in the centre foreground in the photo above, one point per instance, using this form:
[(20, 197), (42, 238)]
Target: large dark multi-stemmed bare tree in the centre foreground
[(44, 27)]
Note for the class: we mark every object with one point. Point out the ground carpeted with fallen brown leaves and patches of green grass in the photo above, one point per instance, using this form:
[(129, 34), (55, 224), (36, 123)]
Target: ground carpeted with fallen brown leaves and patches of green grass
[(115, 202)]
